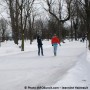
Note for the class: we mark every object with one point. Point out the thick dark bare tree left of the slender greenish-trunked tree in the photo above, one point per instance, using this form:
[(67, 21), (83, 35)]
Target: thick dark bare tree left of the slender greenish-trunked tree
[(14, 15)]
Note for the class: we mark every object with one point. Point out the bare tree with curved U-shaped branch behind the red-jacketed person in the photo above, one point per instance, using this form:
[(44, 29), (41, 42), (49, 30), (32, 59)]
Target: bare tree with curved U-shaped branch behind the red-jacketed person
[(57, 12)]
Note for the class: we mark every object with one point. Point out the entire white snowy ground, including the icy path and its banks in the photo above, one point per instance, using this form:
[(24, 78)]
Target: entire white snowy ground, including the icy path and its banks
[(25, 70)]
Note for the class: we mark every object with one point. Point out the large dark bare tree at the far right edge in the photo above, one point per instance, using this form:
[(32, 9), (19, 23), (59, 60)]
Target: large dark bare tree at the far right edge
[(83, 7)]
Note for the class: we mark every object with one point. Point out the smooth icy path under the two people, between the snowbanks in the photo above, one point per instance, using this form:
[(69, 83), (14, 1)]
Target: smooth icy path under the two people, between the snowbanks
[(28, 69)]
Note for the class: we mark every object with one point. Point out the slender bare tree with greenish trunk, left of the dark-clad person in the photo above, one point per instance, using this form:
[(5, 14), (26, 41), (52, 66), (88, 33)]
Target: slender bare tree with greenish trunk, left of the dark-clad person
[(25, 9)]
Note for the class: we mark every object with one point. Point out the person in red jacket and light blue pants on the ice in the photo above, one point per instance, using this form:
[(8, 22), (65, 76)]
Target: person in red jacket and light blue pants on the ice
[(55, 41)]
